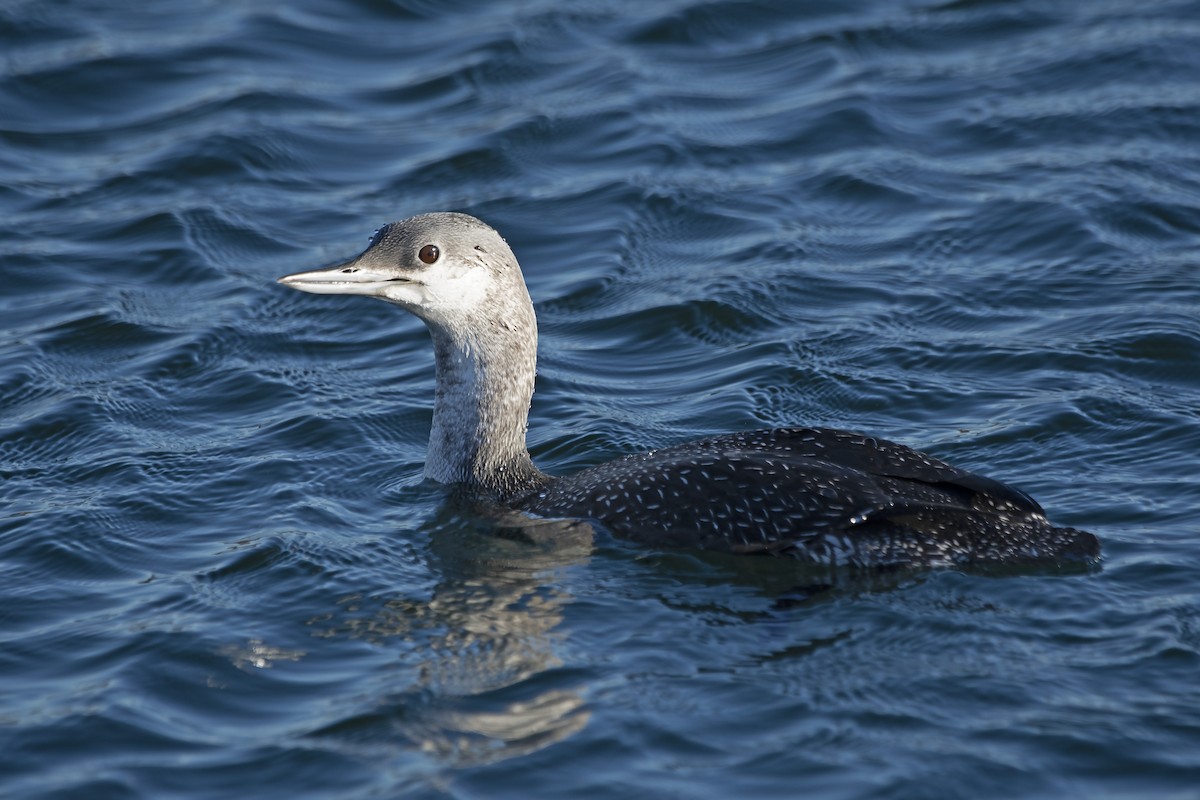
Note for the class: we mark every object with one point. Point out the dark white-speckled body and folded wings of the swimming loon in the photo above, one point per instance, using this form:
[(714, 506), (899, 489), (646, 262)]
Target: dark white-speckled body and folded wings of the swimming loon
[(817, 494)]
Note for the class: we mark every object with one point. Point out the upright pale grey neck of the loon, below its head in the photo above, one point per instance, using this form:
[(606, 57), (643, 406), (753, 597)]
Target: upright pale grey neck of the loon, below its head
[(485, 376)]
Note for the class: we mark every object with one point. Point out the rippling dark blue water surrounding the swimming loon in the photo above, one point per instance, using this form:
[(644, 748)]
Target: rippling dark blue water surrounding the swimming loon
[(970, 226)]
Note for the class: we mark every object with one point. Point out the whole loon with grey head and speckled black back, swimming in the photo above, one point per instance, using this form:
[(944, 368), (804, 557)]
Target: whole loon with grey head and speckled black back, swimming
[(821, 496)]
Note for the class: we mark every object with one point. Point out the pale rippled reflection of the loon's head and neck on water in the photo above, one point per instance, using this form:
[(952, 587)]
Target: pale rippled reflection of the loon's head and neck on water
[(487, 683)]
